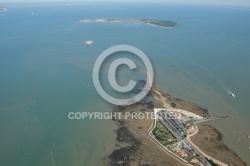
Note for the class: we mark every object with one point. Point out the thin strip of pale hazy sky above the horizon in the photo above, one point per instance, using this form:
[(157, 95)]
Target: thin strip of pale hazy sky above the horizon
[(242, 3)]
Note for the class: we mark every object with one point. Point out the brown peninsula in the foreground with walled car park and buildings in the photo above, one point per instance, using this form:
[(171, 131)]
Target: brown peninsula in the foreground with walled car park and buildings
[(176, 136)]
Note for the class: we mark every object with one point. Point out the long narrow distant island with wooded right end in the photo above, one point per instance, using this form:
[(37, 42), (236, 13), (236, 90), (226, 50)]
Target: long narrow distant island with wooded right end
[(154, 22)]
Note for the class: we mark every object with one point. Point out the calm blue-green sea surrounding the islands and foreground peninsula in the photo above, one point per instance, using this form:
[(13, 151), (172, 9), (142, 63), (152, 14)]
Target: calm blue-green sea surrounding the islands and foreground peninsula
[(46, 72)]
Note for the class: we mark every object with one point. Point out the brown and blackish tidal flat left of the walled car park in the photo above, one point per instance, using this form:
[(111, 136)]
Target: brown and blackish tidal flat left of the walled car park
[(133, 146)]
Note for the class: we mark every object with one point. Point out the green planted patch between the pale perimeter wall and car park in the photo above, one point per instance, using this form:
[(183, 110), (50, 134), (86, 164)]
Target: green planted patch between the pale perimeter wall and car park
[(162, 134)]
